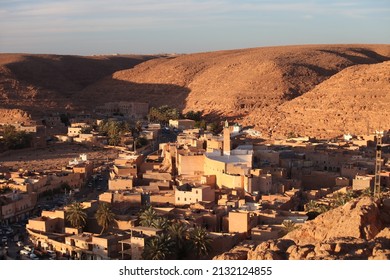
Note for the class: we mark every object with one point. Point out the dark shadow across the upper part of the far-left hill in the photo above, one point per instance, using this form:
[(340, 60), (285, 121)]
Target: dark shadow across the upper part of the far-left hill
[(68, 74)]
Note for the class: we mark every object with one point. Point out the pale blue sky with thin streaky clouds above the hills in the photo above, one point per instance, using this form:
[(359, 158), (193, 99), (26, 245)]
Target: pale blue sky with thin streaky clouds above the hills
[(87, 27)]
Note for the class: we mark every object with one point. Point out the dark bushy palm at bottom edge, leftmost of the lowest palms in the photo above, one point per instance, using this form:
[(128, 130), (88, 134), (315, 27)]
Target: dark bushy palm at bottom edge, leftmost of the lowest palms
[(158, 248)]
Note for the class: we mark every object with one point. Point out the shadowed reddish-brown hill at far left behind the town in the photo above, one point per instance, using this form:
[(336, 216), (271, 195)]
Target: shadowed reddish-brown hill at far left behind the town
[(37, 83)]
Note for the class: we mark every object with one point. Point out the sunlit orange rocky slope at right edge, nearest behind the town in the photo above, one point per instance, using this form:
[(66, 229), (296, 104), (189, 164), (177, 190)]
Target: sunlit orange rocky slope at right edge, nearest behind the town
[(354, 100)]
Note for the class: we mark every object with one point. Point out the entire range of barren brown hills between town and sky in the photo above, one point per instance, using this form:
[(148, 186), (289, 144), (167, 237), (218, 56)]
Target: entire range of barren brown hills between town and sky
[(315, 90)]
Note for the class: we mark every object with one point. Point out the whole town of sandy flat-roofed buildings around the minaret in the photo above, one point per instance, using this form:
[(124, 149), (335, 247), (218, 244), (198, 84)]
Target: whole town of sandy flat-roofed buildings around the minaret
[(151, 183)]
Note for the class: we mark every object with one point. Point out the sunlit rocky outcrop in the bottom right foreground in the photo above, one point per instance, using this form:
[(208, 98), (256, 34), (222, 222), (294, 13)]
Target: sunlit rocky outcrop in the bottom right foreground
[(358, 230)]
